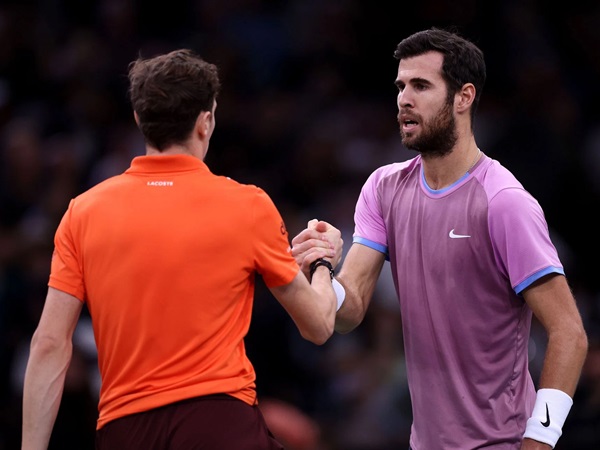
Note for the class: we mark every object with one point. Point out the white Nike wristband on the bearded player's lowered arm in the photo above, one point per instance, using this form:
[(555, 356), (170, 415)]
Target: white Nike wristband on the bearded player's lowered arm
[(548, 417)]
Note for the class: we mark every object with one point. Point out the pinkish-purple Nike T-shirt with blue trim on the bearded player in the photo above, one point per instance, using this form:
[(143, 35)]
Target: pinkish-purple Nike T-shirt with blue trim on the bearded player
[(460, 257)]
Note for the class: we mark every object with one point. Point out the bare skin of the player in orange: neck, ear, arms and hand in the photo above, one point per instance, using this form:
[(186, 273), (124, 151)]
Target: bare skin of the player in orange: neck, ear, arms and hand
[(312, 307)]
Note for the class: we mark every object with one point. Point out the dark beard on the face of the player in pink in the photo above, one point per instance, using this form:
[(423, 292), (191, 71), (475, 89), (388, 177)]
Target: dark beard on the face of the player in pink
[(438, 137)]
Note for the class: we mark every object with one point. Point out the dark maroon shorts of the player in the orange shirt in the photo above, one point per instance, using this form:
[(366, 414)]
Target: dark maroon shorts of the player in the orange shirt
[(203, 423)]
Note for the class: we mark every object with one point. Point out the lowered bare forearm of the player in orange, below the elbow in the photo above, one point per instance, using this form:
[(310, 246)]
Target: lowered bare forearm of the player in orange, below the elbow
[(43, 388)]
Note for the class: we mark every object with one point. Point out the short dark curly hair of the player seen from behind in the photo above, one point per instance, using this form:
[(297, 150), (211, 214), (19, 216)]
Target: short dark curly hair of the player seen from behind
[(168, 92)]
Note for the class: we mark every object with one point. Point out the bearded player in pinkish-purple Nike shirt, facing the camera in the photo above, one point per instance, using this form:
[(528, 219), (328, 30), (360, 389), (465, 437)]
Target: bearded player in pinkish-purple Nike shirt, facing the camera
[(472, 262)]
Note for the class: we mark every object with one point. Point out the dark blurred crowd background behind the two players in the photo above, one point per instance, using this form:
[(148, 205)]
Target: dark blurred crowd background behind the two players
[(307, 111)]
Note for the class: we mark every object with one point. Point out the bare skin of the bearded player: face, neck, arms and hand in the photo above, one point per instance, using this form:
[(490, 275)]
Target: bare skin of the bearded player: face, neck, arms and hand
[(422, 109)]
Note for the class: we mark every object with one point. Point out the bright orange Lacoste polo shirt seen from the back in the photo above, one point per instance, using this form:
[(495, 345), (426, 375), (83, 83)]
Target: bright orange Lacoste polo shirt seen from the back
[(165, 256)]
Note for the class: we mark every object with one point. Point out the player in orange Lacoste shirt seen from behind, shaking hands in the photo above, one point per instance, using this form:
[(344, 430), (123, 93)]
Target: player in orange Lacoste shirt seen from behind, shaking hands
[(165, 257)]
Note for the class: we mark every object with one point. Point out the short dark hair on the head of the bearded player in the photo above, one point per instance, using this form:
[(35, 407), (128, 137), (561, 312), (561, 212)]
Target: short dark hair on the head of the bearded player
[(463, 60)]
